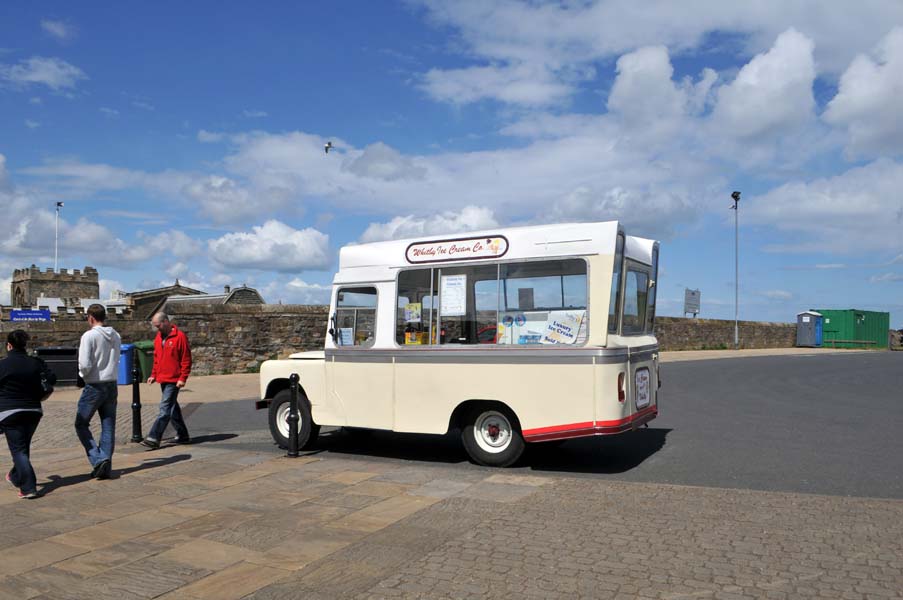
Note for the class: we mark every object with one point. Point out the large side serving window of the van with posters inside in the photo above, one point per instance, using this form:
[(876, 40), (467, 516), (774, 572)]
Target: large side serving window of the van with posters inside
[(520, 303)]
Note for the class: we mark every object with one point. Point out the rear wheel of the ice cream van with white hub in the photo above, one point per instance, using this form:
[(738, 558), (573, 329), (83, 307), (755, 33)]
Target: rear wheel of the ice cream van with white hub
[(491, 436)]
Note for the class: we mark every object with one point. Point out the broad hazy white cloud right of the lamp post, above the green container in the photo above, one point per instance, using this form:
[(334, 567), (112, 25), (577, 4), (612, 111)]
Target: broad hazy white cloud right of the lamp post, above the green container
[(857, 211)]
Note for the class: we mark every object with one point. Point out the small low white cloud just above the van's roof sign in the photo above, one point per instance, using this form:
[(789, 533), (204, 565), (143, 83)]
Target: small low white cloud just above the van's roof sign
[(470, 218)]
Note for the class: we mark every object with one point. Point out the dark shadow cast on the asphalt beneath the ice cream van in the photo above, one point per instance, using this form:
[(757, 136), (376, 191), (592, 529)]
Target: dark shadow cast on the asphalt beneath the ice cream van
[(602, 454)]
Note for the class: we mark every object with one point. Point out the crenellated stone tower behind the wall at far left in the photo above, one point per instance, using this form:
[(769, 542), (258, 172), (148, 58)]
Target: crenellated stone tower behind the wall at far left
[(31, 283)]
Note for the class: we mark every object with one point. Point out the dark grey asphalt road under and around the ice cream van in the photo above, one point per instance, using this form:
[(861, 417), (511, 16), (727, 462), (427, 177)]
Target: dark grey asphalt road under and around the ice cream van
[(826, 424)]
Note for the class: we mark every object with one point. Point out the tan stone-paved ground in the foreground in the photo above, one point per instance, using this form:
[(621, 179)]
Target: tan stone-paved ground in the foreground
[(215, 520)]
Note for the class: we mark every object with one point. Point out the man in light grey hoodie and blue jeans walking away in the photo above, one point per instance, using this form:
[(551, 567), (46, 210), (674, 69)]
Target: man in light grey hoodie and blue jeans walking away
[(98, 365)]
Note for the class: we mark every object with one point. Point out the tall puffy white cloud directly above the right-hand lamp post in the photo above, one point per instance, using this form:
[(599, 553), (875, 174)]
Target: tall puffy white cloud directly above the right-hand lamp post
[(772, 94)]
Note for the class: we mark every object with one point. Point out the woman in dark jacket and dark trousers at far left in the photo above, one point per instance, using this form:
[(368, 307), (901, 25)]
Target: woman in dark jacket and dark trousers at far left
[(20, 409)]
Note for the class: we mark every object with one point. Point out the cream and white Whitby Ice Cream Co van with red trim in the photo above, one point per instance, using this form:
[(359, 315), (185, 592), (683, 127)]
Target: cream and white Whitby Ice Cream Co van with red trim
[(511, 336)]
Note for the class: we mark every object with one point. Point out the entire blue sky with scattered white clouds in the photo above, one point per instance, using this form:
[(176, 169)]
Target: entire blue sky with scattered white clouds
[(186, 140)]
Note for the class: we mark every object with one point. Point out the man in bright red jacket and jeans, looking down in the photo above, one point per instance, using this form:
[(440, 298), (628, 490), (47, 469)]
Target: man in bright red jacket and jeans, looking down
[(172, 364)]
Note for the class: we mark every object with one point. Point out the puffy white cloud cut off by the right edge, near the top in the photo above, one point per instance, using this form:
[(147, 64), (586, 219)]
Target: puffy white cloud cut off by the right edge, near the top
[(868, 100)]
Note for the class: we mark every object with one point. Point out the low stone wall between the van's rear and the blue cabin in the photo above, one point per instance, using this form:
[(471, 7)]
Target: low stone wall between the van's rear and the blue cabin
[(677, 333)]
